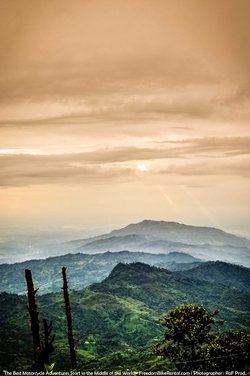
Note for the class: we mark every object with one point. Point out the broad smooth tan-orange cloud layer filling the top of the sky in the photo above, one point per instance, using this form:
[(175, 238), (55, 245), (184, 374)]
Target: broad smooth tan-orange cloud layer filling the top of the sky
[(137, 61)]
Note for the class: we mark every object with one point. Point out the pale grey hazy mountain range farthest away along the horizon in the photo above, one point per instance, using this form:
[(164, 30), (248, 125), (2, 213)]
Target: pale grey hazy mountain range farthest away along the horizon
[(149, 236)]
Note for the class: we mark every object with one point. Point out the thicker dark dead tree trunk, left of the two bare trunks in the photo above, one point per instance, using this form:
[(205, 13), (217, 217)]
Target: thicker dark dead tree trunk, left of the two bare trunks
[(32, 308)]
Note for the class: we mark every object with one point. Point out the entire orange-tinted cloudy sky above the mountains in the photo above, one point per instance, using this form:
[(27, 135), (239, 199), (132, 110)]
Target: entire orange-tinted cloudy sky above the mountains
[(115, 111)]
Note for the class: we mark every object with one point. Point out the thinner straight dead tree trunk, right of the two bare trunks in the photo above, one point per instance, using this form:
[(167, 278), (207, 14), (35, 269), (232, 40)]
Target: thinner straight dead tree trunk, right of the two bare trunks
[(69, 320)]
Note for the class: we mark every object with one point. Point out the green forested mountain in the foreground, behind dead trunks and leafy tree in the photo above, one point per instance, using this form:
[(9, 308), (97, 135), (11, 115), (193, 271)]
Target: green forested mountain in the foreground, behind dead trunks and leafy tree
[(116, 321)]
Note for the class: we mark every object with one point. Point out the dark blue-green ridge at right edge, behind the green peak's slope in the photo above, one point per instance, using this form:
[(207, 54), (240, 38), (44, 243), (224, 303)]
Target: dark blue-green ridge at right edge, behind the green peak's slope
[(220, 272)]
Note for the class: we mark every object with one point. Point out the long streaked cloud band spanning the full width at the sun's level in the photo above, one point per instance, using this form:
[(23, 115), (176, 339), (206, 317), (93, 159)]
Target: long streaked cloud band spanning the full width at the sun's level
[(203, 157)]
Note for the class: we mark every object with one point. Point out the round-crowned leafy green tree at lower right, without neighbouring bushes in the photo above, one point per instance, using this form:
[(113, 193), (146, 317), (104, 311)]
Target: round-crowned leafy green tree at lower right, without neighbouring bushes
[(188, 328)]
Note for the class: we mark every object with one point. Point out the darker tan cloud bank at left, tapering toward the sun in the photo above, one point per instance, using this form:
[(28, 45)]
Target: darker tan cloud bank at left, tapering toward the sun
[(30, 170)]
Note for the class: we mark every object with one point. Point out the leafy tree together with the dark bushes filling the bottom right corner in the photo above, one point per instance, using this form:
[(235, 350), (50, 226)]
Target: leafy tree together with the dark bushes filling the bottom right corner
[(191, 343)]
